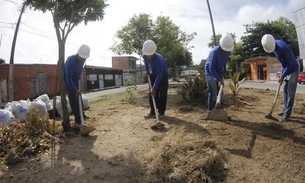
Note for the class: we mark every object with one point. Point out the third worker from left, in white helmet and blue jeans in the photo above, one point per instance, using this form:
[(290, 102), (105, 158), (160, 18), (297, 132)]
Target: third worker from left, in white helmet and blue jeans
[(215, 69)]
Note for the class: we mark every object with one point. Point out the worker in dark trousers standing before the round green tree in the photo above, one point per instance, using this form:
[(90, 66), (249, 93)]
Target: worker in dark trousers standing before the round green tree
[(156, 69)]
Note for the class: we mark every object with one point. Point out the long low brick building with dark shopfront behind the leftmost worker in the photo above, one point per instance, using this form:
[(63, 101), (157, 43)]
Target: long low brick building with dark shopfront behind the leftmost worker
[(32, 80)]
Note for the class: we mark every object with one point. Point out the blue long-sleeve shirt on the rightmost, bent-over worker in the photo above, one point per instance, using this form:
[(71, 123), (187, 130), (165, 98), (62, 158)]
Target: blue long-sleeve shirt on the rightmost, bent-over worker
[(285, 55)]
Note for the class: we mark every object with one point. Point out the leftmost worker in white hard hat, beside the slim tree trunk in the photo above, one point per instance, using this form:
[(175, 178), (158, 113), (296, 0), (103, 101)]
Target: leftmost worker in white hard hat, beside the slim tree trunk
[(73, 69)]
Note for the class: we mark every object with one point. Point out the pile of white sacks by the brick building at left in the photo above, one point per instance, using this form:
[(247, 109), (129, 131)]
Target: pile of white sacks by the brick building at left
[(18, 110)]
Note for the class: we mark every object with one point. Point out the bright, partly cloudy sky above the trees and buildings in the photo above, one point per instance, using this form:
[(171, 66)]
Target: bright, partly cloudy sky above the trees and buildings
[(37, 43)]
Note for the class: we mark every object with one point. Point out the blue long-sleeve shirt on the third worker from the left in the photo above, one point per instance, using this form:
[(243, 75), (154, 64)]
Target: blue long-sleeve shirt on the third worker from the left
[(216, 63)]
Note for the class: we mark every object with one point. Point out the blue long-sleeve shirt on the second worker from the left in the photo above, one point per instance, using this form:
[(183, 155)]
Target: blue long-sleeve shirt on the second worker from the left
[(157, 67)]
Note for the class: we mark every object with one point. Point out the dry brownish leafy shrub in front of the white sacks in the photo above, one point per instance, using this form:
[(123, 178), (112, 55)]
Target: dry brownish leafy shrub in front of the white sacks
[(26, 139)]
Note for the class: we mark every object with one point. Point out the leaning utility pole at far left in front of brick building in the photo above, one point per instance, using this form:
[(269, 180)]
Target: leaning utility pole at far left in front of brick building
[(11, 65)]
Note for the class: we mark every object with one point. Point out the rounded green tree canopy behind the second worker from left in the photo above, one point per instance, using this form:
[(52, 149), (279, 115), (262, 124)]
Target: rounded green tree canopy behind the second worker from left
[(171, 42)]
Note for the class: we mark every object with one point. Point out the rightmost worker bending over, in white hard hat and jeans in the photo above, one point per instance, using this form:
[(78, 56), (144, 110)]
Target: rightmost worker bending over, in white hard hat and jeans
[(290, 72)]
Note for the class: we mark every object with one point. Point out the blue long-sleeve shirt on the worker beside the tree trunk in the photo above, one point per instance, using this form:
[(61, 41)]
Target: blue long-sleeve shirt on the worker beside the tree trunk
[(73, 69)]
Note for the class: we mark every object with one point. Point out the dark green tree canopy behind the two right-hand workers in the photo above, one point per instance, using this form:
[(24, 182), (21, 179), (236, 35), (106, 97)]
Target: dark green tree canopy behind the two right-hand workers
[(250, 44)]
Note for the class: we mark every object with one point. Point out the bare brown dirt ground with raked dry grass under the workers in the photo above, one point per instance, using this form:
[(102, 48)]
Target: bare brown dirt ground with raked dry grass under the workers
[(124, 149)]
